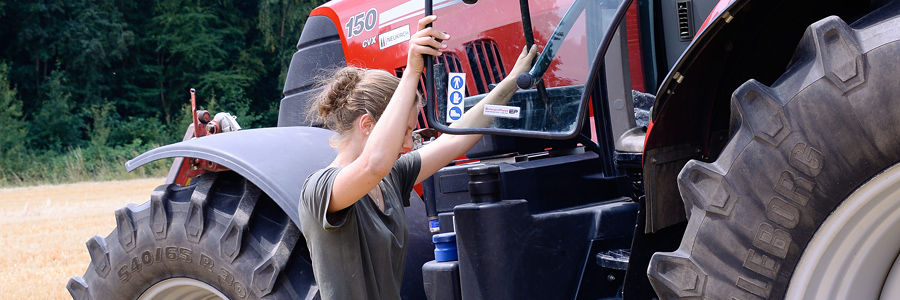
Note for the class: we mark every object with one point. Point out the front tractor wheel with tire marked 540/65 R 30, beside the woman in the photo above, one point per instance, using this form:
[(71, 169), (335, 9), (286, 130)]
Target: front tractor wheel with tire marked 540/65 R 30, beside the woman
[(218, 238)]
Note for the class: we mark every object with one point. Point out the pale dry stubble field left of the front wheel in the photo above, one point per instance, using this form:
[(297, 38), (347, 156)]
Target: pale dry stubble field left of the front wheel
[(43, 230)]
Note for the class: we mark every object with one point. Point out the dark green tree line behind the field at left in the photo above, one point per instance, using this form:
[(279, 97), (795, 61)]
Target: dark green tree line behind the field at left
[(88, 84)]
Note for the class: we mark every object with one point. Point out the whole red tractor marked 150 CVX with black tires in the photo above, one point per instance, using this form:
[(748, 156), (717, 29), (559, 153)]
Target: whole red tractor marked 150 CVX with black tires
[(765, 169)]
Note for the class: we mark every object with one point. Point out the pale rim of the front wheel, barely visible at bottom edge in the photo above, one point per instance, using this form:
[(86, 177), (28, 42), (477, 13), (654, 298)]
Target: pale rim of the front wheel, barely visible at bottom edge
[(182, 288)]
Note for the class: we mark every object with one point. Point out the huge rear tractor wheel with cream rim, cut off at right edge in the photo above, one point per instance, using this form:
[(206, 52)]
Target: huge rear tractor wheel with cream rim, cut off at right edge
[(804, 201)]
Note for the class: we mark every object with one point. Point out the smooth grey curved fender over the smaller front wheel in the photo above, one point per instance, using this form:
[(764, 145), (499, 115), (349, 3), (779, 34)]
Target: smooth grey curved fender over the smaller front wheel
[(277, 160)]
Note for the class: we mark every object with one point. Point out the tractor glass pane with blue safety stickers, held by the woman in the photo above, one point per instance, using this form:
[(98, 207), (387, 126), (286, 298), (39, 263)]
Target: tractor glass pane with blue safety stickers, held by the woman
[(567, 33)]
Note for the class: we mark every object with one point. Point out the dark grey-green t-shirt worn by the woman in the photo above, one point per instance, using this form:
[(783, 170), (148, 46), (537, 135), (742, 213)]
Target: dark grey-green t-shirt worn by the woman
[(360, 251)]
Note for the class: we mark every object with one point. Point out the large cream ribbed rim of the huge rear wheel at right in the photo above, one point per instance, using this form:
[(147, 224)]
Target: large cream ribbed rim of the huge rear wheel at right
[(854, 254)]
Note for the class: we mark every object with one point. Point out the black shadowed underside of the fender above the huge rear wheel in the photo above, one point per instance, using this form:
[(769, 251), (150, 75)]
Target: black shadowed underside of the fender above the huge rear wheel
[(690, 119)]
